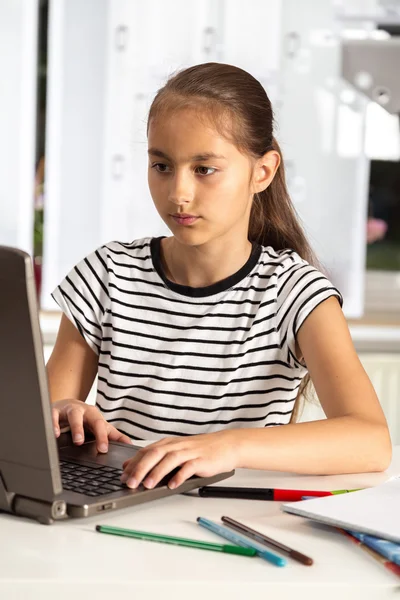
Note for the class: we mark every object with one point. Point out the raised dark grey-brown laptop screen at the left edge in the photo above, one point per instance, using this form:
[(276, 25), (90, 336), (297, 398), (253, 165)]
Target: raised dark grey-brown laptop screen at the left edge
[(28, 452)]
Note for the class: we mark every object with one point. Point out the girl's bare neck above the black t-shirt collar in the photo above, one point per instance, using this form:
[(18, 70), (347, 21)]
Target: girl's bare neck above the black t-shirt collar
[(202, 266)]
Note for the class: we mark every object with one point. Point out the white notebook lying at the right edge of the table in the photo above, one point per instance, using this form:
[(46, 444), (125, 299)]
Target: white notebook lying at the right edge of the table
[(373, 511)]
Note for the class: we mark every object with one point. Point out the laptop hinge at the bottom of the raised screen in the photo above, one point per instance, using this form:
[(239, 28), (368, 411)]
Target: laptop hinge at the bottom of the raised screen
[(40, 510)]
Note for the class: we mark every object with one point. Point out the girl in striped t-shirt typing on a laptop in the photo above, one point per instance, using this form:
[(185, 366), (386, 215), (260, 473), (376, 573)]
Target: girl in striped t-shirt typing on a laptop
[(204, 340)]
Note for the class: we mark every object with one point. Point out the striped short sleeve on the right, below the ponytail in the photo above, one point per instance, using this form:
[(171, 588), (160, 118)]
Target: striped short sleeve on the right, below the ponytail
[(301, 288)]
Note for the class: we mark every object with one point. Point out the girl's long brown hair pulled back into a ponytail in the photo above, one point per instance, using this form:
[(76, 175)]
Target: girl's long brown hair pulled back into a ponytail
[(239, 108)]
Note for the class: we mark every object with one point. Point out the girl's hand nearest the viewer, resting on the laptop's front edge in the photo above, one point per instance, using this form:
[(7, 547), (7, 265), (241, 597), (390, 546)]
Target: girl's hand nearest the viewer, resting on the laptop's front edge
[(204, 455)]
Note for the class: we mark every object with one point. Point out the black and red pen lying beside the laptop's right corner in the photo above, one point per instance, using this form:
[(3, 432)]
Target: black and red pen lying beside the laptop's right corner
[(215, 491)]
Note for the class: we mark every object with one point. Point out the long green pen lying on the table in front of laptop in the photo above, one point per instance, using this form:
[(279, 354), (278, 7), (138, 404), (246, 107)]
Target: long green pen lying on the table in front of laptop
[(166, 539)]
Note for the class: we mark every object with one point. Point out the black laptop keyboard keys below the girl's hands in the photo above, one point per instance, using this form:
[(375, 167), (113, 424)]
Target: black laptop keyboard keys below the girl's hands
[(92, 481)]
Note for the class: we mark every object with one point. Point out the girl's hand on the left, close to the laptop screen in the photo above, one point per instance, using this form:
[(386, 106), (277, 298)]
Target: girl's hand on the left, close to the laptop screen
[(79, 415)]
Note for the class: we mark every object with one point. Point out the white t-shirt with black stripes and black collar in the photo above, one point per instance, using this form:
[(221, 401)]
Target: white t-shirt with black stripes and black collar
[(178, 360)]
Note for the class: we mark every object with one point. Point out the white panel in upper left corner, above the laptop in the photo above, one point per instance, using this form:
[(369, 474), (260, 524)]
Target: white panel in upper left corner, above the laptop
[(18, 72)]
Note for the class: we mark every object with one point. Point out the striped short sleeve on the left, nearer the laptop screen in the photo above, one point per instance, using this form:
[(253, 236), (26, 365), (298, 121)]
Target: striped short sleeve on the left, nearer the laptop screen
[(83, 296)]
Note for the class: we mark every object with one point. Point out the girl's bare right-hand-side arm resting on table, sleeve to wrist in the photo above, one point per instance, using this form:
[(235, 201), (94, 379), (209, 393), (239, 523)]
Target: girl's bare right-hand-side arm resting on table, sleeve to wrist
[(354, 437)]
